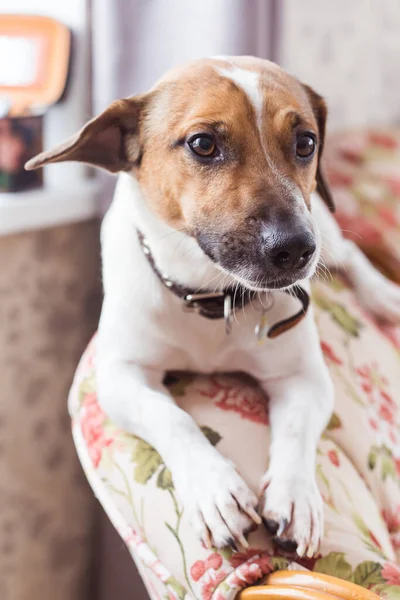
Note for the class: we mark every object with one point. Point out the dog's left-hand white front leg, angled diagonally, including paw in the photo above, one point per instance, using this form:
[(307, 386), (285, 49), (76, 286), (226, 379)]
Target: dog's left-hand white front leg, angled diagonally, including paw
[(217, 501)]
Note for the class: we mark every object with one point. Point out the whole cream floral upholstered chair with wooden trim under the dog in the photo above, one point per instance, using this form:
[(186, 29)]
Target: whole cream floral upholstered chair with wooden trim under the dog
[(358, 466)]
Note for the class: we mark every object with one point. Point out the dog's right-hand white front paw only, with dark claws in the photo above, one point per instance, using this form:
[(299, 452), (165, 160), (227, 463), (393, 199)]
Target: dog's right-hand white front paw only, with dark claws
[(292, 511)]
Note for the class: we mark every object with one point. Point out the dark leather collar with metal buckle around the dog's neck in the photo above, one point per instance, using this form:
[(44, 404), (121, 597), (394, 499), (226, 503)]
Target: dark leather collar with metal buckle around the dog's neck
[(221, 305)]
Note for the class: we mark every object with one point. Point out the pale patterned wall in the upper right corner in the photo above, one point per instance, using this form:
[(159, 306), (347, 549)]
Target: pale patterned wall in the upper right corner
[(349, 51)]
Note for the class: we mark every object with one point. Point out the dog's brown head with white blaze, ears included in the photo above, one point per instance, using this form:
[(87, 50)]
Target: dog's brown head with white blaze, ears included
[(227, 150)]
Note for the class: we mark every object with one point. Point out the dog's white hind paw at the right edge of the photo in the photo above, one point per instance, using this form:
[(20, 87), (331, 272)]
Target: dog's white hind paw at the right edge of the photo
[(381, 299)]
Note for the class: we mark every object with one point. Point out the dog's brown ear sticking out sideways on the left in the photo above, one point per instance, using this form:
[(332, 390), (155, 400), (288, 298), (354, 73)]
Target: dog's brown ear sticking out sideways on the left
[(109, 141)]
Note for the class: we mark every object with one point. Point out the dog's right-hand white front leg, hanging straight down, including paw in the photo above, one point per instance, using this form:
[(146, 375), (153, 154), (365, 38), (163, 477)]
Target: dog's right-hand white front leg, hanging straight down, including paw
[(290, 502)]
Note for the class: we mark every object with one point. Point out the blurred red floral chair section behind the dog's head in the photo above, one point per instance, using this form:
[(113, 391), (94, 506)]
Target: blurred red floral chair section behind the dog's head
[(364, 174)]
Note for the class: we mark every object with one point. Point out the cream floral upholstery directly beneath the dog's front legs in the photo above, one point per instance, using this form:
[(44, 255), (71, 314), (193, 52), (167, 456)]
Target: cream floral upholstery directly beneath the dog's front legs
[(358, 465)]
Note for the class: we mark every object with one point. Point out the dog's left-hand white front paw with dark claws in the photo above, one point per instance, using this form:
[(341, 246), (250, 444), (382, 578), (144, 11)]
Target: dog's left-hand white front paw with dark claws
[(219, 504)]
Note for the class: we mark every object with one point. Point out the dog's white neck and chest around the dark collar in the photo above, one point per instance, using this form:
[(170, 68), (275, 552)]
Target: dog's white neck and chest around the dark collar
[(145, 322)]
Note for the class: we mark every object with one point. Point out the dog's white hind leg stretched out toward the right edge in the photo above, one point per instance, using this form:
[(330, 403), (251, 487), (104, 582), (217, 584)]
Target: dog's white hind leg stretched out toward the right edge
[(375, 292)]
